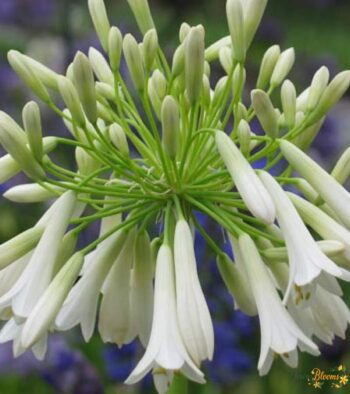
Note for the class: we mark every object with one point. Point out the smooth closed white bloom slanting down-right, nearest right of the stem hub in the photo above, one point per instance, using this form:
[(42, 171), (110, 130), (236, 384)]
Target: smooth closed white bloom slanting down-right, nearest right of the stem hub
[(247, 182)]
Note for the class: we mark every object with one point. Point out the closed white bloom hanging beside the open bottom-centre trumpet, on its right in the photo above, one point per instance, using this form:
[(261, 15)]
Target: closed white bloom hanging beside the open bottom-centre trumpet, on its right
[(194, 318)]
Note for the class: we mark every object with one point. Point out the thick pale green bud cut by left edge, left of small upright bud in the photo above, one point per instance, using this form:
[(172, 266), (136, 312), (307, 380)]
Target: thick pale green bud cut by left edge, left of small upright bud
[(13, 140)]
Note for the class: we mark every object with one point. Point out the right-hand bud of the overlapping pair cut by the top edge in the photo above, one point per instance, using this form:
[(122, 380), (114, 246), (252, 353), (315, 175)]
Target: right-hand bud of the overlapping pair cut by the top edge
[(253, 13)]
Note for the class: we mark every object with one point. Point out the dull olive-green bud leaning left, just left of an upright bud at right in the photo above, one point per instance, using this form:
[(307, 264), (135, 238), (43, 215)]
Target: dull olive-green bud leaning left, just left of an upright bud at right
[(265, 112)]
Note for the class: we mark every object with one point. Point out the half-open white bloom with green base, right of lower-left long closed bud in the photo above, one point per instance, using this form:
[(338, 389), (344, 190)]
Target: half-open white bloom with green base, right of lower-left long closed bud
[(80, 306)]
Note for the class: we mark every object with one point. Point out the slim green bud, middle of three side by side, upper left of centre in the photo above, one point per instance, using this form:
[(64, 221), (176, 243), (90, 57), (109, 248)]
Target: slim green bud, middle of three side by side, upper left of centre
[(134, 62)]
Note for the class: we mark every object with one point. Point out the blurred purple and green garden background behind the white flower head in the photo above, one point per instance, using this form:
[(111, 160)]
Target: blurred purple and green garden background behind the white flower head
[(51, 31)]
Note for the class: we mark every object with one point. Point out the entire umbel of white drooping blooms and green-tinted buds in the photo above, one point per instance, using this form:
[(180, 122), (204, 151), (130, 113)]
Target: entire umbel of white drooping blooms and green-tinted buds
[(155, 150)]
